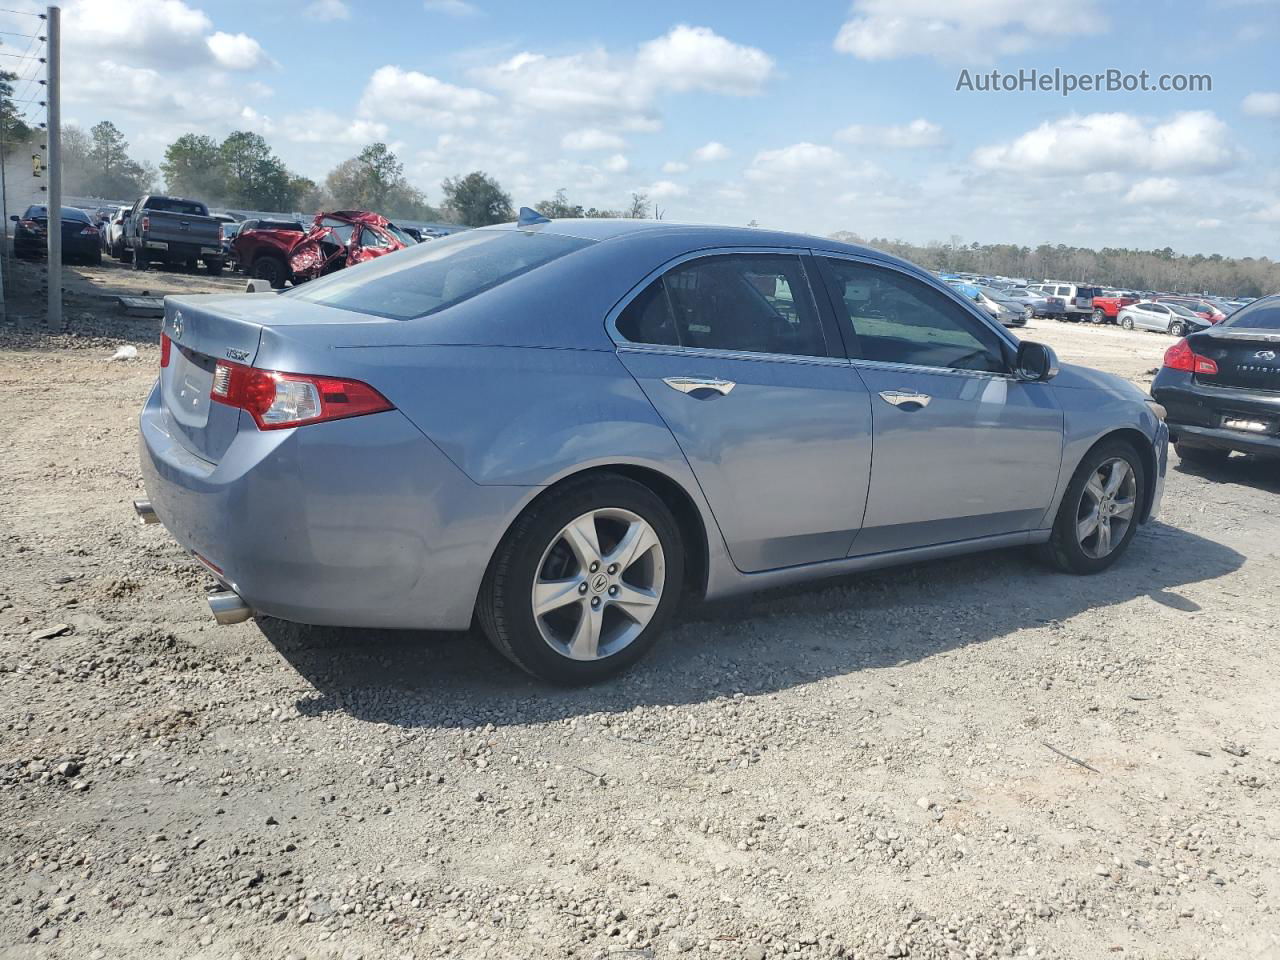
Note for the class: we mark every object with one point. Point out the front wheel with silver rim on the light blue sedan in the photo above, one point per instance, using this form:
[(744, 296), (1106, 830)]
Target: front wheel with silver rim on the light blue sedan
[(1100, 511)]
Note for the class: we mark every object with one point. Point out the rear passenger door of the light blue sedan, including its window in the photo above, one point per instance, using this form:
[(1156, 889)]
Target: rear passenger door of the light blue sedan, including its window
[(734, 354)]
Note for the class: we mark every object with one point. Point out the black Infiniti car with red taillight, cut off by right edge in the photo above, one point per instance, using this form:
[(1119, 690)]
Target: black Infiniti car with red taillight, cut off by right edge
[(1222, 386)]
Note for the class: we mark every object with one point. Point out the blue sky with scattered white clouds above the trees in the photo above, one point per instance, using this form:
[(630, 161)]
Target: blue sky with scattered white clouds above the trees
[(811, 117)]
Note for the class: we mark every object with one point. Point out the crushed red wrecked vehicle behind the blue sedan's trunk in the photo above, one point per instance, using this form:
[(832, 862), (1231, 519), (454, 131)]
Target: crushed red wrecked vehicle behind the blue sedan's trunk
[(336, 240)]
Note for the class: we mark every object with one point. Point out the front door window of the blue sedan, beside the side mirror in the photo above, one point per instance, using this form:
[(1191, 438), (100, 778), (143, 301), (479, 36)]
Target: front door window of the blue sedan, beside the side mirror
[(899, 319)]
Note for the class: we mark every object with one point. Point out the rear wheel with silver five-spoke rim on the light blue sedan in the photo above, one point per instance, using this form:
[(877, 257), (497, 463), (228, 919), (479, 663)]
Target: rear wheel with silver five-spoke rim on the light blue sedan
[(586, 582)]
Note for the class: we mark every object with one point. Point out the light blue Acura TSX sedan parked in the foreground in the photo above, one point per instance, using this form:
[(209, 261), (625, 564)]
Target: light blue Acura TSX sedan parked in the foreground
[(557, 429)]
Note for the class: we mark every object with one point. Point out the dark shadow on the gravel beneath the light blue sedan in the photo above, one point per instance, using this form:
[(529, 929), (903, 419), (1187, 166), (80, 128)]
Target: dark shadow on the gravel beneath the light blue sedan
[(756, 644)]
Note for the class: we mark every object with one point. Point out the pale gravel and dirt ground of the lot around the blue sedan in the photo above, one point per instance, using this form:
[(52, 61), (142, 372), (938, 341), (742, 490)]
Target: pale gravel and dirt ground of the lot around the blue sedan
[(964, 760)]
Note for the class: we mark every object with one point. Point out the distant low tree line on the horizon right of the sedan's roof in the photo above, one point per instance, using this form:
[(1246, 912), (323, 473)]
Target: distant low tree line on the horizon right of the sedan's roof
[(1110, 267)]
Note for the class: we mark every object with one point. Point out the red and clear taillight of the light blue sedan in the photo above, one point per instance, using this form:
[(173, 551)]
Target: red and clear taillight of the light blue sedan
[(277, 400)]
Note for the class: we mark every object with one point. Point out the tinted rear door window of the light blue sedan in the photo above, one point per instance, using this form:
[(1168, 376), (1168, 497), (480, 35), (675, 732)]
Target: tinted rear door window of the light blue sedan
[(743, 303)]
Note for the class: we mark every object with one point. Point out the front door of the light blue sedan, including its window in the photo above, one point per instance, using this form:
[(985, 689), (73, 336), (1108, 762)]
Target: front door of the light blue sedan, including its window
[(963, 450)]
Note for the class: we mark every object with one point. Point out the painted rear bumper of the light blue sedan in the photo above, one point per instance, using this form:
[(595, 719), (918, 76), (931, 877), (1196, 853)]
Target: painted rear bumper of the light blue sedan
[(355, 523)]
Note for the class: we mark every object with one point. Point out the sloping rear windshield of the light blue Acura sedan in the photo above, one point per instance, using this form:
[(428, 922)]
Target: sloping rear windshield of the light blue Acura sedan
[(429, 277)]
